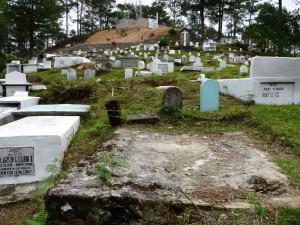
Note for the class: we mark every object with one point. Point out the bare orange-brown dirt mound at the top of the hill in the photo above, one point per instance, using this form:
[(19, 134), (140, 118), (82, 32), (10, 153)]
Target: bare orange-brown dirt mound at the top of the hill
[(138, 34)]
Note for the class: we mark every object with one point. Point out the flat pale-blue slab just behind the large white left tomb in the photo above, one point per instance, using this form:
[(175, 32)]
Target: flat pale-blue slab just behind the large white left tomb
[(53, 110)]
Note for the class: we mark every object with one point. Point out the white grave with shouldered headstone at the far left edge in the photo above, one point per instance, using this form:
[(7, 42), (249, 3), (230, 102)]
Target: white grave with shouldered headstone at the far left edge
[(14, 81)]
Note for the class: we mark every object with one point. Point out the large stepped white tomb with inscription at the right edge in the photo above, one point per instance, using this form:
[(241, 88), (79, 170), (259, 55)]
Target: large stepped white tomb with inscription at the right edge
[(273, 81)]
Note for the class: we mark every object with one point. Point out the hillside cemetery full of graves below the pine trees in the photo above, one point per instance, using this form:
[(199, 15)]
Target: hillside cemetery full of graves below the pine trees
[(145, 124)]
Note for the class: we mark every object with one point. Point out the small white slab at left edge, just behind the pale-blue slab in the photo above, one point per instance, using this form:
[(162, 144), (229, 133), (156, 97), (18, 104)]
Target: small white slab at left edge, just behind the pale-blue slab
[(19, 101)]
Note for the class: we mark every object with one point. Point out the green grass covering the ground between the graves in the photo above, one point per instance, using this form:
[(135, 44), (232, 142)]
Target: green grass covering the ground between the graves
[(277, 127)]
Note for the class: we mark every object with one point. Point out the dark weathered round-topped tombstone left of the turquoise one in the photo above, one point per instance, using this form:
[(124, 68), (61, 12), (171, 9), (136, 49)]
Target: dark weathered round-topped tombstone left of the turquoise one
[(172, 100)]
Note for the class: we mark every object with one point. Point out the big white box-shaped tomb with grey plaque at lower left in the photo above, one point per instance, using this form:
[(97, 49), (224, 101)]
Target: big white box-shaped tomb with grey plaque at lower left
[(28, 145)]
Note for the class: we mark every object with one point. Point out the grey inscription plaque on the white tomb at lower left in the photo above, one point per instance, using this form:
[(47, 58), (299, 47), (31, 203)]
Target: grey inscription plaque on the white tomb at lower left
[(15, 161)]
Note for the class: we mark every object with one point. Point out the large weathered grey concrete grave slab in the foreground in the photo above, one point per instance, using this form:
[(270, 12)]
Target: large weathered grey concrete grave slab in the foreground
[(161, 168)]
